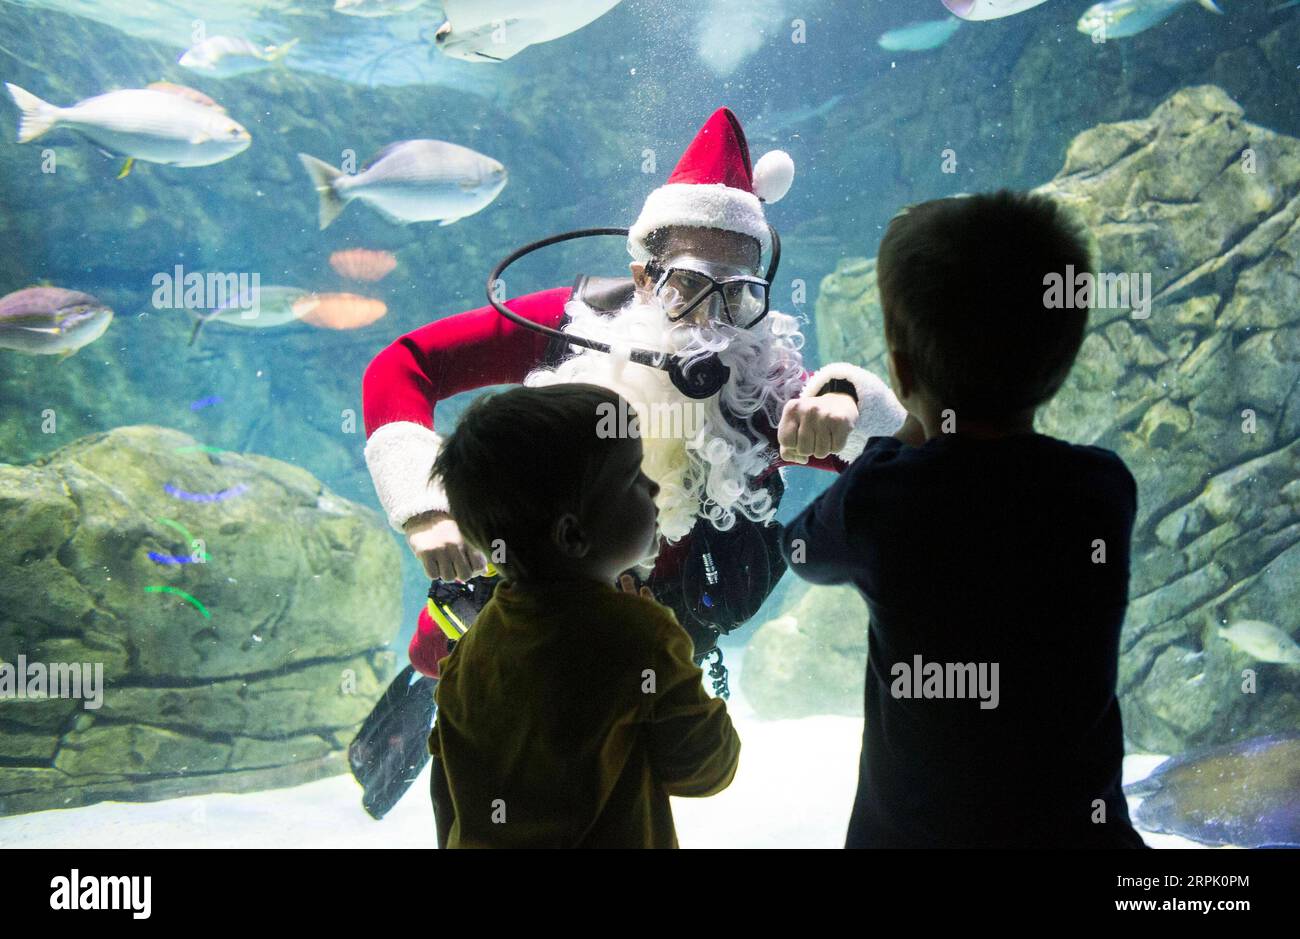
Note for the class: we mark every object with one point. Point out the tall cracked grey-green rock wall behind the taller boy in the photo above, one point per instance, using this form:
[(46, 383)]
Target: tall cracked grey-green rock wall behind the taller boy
[(1201, 399)]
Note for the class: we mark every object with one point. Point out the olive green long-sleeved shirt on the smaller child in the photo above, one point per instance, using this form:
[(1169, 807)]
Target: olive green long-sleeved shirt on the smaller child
[(569, 715)]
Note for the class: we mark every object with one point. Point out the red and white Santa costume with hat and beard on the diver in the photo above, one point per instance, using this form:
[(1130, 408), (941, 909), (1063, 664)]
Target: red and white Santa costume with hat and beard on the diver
[(717, 487)]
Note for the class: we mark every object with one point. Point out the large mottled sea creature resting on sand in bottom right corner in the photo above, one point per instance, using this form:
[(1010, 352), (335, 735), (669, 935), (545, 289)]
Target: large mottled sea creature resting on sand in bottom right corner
[(1245, 794)]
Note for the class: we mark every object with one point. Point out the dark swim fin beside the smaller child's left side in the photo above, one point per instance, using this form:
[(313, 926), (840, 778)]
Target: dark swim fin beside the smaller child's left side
[(393, 746)]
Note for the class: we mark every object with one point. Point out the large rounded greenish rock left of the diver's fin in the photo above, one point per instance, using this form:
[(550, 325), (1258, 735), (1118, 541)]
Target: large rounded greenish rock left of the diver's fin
[(252, 667)]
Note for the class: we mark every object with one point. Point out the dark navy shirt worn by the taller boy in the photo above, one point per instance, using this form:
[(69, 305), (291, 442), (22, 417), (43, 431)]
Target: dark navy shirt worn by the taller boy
[(970, 553)]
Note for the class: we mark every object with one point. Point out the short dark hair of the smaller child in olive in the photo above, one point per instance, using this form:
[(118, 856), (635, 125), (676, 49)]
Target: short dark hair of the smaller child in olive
[(517, 461)]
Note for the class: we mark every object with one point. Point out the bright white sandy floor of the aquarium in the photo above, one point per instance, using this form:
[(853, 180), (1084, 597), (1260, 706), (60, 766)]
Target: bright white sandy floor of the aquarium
[(794, 790)]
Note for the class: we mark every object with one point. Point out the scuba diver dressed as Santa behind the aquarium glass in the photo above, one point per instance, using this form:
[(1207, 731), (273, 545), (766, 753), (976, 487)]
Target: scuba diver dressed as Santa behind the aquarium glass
[(690, 335)]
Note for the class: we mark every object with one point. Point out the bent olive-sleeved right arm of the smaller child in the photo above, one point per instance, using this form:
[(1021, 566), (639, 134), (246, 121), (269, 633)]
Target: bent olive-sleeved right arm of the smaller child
[(695, 748)]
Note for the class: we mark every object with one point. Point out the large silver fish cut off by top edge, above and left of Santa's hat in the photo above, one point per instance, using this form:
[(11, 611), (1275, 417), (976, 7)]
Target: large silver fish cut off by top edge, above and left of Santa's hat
[(496, 31)]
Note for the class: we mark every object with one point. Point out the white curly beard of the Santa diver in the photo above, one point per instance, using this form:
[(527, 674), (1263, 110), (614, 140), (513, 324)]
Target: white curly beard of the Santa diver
[(712, 474)]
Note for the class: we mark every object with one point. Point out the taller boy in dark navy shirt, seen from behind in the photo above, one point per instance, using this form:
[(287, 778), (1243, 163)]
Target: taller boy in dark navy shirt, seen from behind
[(994, 560)]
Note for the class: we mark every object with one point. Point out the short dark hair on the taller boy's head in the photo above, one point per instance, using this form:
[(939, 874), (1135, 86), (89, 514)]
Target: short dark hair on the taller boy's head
[(963, 289)]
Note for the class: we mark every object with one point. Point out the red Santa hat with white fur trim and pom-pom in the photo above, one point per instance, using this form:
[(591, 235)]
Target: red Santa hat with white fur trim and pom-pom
[(716, 187)]
